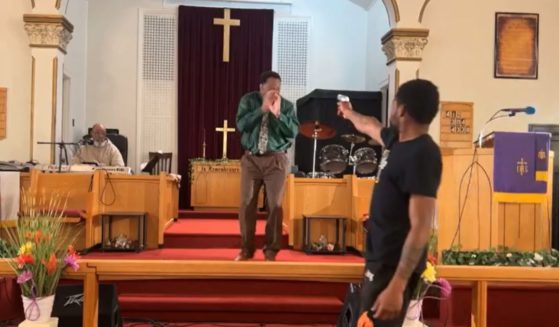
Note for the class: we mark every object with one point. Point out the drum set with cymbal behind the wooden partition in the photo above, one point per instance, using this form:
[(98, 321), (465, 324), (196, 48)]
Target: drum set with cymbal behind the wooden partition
[(334, 158)]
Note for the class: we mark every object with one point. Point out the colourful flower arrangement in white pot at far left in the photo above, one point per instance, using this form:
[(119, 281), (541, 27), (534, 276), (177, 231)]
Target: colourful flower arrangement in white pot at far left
[(44, 250)]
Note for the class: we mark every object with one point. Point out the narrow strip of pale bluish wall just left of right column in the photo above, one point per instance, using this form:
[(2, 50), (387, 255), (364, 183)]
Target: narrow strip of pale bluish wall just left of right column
[(377, 27)]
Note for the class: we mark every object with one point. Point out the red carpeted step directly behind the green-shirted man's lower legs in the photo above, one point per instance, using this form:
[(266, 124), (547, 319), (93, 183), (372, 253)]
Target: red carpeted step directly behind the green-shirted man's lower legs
[(211, 233)]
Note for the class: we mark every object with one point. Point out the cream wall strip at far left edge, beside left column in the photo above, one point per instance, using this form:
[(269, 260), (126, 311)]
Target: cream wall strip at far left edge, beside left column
[(15, 74)]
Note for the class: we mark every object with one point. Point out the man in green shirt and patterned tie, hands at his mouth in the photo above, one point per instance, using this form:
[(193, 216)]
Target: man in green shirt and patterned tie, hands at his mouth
[(268, 125)]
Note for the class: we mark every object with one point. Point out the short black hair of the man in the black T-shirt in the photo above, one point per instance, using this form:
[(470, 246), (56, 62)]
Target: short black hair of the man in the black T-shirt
[(420, 98)]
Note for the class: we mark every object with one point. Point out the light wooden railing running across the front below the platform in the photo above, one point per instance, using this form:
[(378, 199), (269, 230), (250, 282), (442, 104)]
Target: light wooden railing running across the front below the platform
[(92, 271)]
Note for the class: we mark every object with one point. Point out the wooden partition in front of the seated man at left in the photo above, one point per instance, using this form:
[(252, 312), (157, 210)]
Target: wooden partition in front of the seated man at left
[(99, 192)]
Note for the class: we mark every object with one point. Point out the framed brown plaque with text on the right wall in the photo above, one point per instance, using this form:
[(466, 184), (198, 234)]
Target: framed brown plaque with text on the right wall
[(516, 45)]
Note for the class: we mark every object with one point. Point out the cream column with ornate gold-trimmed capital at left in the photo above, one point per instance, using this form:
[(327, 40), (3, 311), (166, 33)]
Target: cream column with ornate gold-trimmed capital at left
[(49, 34)]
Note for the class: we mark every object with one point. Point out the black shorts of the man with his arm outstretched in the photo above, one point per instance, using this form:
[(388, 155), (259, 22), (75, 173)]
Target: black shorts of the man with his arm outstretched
[(375, 279)]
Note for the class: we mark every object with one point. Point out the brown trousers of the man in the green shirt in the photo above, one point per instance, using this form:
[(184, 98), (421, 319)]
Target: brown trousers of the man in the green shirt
[(271, 170)]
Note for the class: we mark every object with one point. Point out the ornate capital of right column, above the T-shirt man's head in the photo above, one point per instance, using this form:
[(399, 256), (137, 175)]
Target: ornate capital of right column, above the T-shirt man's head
[(404, 49)]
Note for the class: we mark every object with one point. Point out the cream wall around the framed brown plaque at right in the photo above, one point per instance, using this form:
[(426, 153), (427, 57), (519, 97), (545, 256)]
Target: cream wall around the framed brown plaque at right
[(459, 59)]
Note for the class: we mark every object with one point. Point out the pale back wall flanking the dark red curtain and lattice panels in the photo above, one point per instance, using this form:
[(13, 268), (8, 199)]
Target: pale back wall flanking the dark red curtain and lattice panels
[(338, 54)]
